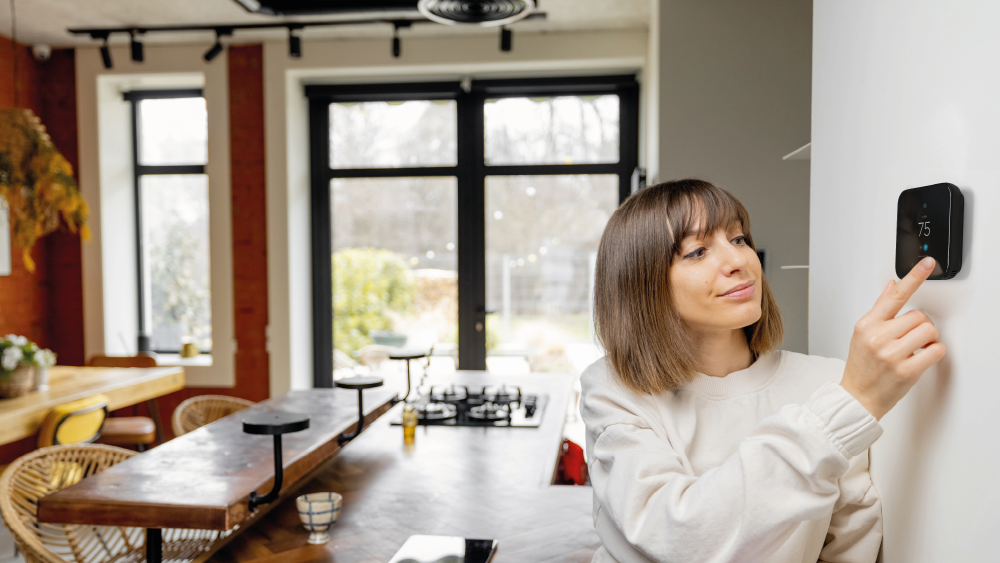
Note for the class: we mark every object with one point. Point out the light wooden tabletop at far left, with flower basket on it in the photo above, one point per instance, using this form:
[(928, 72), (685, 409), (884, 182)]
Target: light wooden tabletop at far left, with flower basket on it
[(20, 417)]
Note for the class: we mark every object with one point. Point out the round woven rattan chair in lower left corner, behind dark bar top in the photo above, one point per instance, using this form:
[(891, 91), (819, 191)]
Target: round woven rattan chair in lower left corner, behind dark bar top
[(52, 469)]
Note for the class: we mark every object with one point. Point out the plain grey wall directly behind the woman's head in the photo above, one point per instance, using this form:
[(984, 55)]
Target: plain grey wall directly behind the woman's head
[(734, 97)]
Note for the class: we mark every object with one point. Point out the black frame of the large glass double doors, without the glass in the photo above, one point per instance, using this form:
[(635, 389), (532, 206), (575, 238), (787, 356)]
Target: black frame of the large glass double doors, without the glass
[(470, 171)]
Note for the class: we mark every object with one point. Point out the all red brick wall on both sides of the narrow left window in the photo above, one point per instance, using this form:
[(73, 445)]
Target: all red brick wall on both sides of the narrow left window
[(48, 305)]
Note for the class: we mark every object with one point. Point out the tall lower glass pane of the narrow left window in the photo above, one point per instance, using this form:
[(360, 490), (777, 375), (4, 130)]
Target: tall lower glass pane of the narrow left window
[(176, 260)]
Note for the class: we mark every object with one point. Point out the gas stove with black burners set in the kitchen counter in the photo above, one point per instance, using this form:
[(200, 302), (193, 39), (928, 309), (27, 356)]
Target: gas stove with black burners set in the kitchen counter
[(461, 405)]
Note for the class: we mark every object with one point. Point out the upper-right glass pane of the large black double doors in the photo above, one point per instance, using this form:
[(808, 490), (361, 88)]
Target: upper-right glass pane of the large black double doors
[(556, 130)]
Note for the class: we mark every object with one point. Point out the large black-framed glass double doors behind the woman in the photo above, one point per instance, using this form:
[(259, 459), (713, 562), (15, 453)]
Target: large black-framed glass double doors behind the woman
[(467, 219)]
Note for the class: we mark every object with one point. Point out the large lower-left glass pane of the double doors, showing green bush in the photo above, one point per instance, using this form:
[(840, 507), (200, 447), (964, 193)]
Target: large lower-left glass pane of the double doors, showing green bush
[(395, 262)]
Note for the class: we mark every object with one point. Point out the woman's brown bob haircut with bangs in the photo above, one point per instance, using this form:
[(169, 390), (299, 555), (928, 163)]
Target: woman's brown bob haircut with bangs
[(648, 345)]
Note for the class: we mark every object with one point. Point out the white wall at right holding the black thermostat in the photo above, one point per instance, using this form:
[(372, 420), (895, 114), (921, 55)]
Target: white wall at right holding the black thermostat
[(905, 95)]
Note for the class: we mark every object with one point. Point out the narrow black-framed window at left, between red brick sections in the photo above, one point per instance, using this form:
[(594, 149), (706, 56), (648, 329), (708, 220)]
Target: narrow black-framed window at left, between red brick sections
[(170, 149)]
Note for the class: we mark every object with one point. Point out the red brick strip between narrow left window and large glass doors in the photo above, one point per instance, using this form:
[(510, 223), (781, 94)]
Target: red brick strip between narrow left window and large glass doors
[(246, 138)]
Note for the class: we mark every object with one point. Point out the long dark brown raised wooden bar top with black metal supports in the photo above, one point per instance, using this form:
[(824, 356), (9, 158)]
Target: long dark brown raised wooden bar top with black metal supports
[(203, 479)]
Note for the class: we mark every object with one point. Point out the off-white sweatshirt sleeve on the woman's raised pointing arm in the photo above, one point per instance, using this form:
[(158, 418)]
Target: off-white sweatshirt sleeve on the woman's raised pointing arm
[(786, 472)]
